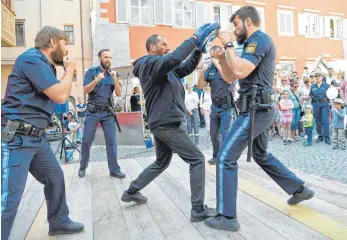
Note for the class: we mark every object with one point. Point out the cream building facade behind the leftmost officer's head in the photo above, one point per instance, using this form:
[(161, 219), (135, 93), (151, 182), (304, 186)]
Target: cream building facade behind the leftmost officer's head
[(72, 16)]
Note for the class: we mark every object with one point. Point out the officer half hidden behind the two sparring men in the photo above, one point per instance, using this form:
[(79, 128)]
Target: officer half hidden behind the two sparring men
[(221, 116)]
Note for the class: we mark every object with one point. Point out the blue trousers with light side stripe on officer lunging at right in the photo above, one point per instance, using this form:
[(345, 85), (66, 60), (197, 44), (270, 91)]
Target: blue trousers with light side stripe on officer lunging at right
[(231, 150)]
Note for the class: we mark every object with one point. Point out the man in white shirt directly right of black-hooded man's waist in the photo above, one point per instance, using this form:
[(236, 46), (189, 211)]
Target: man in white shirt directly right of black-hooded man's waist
[(193, 120)]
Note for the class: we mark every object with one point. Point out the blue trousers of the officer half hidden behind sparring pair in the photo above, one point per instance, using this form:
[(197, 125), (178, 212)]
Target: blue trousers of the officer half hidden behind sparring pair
[(220, 121)]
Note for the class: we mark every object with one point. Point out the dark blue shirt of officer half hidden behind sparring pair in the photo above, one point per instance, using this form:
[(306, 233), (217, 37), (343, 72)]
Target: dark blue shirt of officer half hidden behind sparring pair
[(219, 88)]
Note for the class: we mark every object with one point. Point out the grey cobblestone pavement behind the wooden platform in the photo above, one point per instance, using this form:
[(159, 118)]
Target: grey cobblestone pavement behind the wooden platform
[(320, 159)]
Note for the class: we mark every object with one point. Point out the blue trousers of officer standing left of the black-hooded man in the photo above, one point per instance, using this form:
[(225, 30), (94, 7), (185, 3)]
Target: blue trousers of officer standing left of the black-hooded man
[(109, 127)]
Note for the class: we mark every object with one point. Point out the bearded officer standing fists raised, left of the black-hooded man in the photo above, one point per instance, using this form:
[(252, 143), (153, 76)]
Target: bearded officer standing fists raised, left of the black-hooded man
[(99, 83)]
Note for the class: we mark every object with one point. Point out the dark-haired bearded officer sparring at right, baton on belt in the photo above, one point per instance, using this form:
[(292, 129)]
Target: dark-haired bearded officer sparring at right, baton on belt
[(255, 67)]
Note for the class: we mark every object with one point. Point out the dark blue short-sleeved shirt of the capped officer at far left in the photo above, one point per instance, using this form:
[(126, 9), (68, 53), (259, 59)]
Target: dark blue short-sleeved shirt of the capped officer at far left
[(24, 100)]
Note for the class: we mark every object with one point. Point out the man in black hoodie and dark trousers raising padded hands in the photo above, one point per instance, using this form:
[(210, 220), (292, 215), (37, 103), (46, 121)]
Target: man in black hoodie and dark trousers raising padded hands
[(159, 75)]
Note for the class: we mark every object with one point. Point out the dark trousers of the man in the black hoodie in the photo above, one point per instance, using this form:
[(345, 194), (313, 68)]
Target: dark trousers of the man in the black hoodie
[(173, 137)]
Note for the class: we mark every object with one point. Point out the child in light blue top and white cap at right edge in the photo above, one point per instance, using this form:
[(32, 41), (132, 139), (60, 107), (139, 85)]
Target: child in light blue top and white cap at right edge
[(337, 124)]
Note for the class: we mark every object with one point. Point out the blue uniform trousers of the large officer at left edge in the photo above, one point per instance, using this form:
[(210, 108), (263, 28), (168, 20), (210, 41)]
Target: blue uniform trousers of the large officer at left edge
[(31, 154)]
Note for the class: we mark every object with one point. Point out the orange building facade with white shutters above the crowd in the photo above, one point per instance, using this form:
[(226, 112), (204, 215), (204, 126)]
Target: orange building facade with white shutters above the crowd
[(301, 30)]
